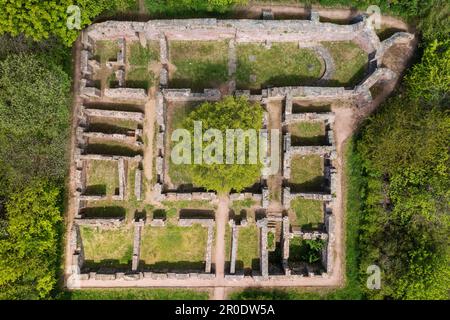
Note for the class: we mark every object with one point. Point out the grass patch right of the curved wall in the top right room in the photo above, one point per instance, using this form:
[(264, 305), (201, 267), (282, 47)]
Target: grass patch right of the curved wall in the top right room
[(350, 62)]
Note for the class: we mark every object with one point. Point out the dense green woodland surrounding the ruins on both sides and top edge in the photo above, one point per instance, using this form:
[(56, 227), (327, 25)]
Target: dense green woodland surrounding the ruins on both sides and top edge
[(398, 192)]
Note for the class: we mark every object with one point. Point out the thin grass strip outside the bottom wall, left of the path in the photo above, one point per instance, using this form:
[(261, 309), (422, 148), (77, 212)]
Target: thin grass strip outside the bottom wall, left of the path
[(134, 294)]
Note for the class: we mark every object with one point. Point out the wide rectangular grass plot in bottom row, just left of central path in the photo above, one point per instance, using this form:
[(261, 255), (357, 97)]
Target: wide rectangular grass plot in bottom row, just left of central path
[(173, 247)]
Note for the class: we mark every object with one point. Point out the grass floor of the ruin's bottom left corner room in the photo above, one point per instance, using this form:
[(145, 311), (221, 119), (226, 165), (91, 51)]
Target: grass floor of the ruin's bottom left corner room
[(107, 248)]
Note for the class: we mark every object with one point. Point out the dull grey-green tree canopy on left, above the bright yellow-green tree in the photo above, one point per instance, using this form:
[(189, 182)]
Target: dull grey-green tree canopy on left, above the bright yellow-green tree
[(34, 120)]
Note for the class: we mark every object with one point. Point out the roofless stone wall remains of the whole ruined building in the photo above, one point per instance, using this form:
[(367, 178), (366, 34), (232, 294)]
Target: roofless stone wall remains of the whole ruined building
[(308, 34)]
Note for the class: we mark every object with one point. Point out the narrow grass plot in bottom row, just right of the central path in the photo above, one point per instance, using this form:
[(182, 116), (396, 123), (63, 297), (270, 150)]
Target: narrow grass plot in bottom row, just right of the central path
[(248, 248)]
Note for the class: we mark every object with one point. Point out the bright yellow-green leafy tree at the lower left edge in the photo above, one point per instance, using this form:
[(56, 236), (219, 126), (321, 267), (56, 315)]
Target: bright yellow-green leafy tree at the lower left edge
[(29, 247)]
